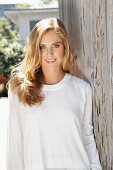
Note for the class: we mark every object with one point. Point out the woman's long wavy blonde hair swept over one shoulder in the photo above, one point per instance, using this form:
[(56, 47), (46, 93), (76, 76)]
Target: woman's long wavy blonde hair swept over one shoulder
[(26, 79)]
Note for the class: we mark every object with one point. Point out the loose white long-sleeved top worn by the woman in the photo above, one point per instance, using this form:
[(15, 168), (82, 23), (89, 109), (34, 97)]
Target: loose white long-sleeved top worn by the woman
[(56, 134)]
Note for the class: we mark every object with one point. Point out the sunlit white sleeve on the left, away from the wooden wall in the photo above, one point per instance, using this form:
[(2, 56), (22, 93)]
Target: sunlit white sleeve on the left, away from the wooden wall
[(14, 135)]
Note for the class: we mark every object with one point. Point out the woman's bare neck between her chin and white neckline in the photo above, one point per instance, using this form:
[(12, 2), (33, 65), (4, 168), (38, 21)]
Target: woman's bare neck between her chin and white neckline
[(53, 77)]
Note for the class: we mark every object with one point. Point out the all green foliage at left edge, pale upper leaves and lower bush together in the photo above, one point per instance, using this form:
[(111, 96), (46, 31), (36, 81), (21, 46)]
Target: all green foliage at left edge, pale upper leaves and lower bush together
[(11, 51)]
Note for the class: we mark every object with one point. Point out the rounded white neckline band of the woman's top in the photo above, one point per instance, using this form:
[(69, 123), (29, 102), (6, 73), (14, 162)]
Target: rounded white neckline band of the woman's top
[(57, 85)]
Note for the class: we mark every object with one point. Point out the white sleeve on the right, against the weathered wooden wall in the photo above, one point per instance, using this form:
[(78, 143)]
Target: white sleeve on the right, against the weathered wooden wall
[(87, 131)]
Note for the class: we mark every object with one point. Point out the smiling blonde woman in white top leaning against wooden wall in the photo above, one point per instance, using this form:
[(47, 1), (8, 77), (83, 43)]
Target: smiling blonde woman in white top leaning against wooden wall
[(50, 121)]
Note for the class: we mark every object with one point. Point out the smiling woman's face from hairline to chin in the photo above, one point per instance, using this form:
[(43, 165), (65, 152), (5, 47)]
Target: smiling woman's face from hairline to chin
[(52, 51)]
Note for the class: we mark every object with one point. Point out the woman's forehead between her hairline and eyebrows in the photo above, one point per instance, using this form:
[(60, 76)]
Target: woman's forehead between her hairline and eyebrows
[(50, 36)]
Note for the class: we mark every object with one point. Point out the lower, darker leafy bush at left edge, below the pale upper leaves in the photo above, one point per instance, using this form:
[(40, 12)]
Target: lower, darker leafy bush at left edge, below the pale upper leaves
[(11, 53)]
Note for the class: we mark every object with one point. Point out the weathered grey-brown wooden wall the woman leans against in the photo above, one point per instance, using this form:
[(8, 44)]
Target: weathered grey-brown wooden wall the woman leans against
[(90, 27)]
